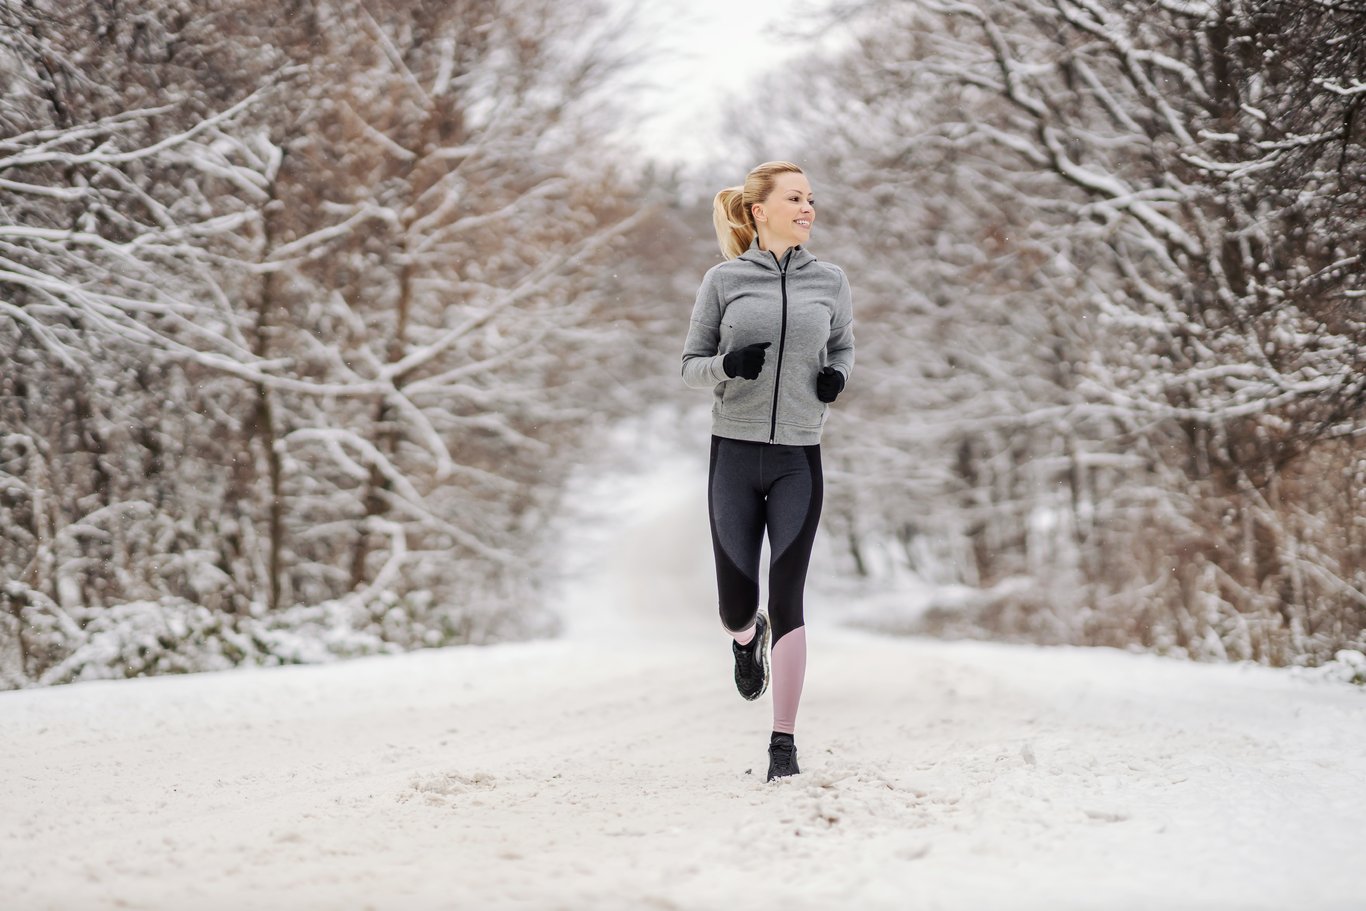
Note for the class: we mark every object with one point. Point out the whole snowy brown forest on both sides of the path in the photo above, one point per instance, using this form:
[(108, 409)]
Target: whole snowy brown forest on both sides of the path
[(311, 311)]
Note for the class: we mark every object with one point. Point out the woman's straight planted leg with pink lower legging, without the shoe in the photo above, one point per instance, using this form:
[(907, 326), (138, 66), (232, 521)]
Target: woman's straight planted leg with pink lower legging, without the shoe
[(796, 492)]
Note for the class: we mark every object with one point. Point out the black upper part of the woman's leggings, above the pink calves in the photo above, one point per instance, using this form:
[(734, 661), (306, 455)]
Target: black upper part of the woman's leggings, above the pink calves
[(753, 487)]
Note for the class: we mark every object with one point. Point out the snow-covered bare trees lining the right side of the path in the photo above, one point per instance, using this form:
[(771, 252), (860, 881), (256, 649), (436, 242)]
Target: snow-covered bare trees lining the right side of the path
[(1110, 257)]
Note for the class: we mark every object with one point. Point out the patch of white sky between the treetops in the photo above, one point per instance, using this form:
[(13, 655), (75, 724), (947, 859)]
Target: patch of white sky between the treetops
[(708, 54)]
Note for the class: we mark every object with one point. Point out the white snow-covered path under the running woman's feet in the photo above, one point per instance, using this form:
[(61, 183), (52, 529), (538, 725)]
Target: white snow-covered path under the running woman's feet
[(613, 771)]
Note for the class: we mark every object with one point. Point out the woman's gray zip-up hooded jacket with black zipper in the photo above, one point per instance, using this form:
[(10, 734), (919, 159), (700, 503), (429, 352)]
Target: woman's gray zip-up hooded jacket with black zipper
[(800, 305)]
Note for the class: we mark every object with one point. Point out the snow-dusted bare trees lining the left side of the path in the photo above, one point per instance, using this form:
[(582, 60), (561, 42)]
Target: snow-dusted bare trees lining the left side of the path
[(296, 307)]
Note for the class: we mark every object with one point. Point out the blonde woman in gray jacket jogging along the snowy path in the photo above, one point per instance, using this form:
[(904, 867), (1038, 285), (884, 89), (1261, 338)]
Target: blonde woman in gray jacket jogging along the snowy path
[(772, 337)]
